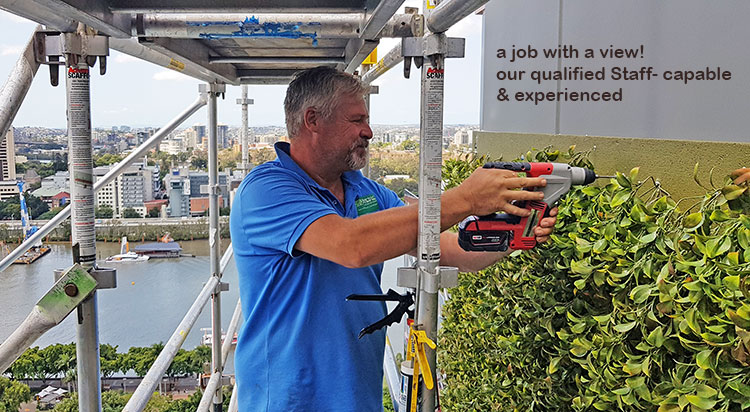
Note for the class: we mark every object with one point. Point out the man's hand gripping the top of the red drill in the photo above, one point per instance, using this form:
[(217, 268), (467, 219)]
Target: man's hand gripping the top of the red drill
[(491, 190)]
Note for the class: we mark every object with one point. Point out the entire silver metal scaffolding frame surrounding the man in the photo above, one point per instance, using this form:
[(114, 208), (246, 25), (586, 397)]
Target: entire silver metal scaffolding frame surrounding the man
[(221, 44)]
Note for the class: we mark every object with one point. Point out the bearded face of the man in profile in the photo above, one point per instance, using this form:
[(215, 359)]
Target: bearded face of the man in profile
[(347, 133)]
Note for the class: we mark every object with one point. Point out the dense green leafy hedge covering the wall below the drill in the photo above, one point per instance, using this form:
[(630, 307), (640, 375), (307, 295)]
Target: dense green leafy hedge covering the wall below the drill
[(637, 303)]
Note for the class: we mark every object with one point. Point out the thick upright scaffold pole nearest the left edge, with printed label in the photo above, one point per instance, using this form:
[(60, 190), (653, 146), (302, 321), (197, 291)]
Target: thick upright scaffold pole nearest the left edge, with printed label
[(82, 226)]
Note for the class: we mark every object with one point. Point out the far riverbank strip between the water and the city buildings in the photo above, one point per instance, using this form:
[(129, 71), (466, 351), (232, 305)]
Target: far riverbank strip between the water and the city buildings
[(137, 229)]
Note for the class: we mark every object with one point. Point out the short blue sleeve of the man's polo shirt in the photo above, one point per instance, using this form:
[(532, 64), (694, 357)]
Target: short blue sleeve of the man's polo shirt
[(276, 208)]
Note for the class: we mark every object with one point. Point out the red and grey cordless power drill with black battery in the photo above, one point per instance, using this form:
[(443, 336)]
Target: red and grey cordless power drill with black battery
[(498, 231)]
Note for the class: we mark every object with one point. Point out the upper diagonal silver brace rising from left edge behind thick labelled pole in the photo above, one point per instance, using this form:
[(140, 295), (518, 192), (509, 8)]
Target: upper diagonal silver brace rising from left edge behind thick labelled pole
[(109, 177)]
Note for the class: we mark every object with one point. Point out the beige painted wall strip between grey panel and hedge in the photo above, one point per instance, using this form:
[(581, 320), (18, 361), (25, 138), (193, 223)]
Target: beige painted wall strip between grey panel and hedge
[(670, 161)]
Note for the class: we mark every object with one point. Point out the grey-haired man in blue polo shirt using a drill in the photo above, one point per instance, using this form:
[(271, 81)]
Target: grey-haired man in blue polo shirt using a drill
[(308, 230)]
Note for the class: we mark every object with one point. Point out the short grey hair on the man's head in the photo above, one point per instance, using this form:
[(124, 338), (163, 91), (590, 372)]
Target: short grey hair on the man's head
[(320, 88)]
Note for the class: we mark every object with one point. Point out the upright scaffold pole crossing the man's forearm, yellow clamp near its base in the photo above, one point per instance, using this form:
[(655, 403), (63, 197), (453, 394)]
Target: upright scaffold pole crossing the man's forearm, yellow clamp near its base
[(428, 53)]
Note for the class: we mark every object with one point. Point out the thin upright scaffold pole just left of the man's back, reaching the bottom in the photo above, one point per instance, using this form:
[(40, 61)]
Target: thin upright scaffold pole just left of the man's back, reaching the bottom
[(214, 240)]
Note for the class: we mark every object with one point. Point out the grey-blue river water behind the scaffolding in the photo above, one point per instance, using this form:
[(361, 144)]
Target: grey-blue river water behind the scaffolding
[(149, 302)]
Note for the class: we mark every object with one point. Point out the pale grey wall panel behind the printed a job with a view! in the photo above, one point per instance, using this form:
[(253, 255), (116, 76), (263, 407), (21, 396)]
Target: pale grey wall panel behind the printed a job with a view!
[(676, 34)]
